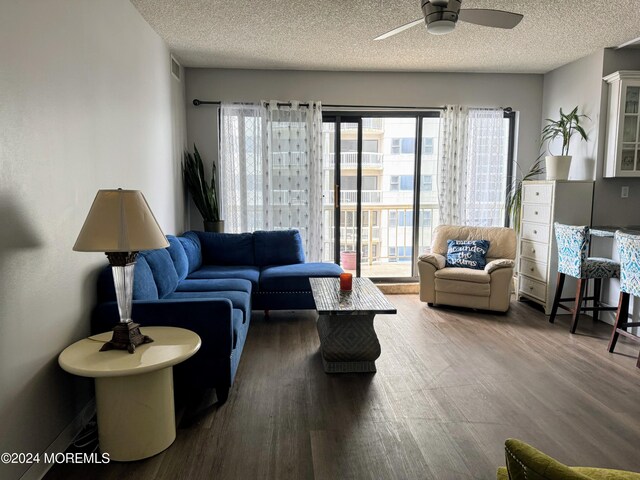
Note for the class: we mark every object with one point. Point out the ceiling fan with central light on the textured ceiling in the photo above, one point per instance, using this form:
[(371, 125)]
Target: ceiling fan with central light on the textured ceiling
[(440, 17)]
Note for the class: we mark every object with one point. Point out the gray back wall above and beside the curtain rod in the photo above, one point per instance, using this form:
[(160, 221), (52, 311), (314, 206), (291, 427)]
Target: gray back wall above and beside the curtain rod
[(522, 92)]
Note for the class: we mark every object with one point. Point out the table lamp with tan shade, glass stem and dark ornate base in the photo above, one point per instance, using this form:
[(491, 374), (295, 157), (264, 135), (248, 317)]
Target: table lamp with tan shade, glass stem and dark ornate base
[(120, 223)]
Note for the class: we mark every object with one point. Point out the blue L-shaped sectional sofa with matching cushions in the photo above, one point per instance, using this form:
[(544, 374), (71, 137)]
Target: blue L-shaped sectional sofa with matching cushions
[(209, 283)]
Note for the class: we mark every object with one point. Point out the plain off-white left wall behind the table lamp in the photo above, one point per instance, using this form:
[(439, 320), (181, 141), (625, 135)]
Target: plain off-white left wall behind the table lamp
[(86, 102)]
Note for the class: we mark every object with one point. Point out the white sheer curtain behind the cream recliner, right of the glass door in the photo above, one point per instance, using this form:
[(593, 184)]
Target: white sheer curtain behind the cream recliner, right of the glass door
[(473, 166)]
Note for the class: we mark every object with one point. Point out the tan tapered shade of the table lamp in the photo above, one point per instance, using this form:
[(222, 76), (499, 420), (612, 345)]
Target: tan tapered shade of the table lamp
[(120, 221)]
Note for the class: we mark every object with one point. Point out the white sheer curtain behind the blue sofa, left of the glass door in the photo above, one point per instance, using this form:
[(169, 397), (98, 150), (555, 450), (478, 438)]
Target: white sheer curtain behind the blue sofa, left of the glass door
[(271, 162)]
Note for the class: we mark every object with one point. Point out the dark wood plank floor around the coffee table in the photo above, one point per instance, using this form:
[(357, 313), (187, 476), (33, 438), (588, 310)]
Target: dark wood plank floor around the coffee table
[(451, 386)]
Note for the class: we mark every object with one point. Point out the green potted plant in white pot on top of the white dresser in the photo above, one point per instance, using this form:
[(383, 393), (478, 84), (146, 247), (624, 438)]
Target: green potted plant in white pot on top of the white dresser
[(565, 127)]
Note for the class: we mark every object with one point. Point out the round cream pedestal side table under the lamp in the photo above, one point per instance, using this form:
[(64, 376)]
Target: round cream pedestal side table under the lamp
[(134, 391)]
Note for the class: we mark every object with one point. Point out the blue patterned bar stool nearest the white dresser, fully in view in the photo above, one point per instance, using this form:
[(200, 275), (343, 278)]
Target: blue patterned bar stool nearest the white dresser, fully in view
[(573, 244)]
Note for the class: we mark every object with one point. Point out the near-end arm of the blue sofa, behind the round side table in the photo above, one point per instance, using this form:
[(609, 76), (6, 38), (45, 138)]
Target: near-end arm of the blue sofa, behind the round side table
[(211, 319)]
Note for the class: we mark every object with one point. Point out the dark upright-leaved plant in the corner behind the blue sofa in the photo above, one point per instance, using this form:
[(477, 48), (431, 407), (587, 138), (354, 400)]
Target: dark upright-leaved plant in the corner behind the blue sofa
[(204, 194)]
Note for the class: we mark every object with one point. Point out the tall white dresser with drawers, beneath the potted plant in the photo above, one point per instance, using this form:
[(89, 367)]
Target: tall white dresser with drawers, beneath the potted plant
[(543, 203)]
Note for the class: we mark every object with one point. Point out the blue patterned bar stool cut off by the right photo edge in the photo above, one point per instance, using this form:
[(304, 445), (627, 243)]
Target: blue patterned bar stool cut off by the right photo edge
[(629, 251)]
